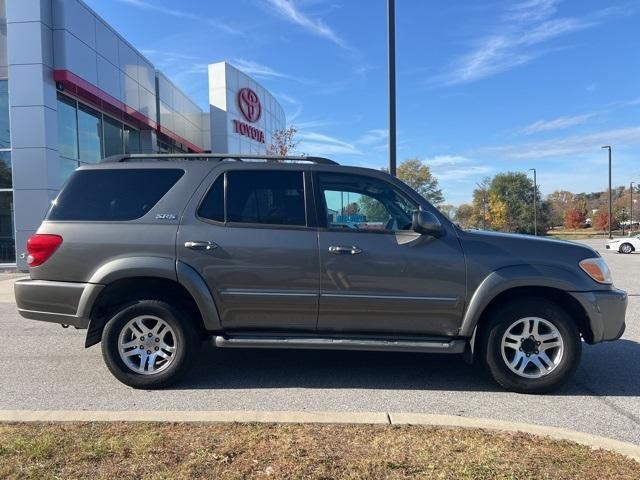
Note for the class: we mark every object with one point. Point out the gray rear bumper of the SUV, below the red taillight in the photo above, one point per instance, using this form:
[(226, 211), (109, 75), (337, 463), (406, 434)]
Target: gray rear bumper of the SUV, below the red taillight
[(66, 303)]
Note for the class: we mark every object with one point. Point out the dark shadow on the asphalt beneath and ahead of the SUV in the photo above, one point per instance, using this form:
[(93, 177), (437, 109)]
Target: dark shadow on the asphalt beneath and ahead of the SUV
[(609, 369)]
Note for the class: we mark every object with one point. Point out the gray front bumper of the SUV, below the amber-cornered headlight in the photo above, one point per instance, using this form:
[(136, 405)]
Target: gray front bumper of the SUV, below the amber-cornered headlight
[(605, 312)]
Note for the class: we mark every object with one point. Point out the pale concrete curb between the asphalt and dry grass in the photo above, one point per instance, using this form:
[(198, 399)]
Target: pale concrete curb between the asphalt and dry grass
[(379, 418)]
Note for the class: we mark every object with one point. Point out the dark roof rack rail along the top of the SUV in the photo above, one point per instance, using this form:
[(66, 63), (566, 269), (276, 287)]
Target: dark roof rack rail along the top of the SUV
[(216, 157)]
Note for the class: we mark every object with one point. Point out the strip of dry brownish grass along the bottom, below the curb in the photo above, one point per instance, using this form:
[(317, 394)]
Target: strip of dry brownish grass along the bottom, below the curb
[(229, 451)]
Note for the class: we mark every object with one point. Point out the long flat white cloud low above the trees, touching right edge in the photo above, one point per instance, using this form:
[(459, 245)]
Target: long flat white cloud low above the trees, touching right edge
[(572, 145)]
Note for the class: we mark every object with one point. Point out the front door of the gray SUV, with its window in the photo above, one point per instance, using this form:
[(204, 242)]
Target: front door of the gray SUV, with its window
[(377, 275)]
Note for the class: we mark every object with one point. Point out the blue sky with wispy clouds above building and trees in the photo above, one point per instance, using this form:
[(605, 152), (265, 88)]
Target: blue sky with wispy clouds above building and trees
[(482, 87)]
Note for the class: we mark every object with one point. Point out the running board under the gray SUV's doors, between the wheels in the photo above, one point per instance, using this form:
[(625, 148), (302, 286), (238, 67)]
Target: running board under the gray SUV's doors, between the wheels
[(316, 343)]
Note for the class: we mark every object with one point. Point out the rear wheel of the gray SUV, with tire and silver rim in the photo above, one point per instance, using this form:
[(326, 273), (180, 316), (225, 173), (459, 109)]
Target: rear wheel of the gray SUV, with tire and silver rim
[(168, 352)]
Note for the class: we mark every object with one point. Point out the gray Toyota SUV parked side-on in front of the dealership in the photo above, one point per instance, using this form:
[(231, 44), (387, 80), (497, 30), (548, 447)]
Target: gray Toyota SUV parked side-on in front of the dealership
[(155, 253)]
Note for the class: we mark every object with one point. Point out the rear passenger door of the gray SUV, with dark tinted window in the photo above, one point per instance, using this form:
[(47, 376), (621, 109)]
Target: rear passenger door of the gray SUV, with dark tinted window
[(252, 237)]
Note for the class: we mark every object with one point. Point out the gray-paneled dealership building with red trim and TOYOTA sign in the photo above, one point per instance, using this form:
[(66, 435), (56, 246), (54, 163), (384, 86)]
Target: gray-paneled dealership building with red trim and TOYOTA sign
[(74, 91)]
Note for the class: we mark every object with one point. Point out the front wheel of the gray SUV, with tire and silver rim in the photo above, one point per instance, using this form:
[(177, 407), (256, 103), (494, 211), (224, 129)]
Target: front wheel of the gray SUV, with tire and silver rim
[(545, 368)]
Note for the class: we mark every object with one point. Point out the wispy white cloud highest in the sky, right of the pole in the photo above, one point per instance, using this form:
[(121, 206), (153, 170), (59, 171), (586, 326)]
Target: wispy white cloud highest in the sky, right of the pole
[(522, 30)]
